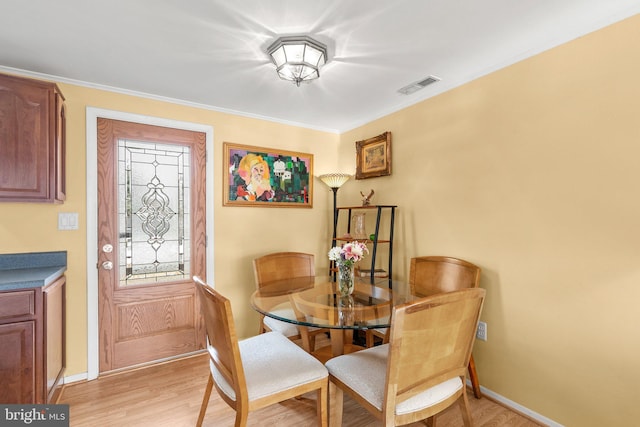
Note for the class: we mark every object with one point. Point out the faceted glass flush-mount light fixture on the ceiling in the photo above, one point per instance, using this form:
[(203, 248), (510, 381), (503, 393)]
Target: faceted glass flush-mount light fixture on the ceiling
[(298, 58)]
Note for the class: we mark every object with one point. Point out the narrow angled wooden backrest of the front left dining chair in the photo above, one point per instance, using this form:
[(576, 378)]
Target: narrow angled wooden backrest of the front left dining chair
[(223, 346)]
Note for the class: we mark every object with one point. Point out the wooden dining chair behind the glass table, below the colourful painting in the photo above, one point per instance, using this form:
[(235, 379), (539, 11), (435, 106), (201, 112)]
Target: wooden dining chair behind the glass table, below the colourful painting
[(280, 266)]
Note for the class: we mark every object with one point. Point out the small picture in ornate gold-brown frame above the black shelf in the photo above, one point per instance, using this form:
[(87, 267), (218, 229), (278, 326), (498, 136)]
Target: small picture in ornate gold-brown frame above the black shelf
[(373, 156)]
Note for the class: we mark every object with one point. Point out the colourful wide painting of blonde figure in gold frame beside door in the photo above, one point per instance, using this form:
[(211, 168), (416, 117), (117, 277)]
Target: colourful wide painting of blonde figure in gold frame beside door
[(267, 177)]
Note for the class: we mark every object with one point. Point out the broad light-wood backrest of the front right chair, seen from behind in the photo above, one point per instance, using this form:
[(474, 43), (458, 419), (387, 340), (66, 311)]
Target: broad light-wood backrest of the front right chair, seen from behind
[(430, 342)]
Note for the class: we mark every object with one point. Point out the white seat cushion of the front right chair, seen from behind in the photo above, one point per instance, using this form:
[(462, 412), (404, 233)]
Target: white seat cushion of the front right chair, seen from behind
[(365, 373)]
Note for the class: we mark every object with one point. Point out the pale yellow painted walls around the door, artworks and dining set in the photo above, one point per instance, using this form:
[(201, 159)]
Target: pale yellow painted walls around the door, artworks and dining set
[(530, 172)]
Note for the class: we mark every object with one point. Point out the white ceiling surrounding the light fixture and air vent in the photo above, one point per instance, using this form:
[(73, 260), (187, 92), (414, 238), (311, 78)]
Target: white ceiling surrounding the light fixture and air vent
[(212, 52)]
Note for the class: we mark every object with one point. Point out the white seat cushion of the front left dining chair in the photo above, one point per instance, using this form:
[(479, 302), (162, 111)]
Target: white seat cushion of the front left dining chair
[(272, 363)]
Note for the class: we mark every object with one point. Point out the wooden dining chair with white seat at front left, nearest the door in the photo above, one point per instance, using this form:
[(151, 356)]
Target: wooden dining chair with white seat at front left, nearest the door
[(258, 371)]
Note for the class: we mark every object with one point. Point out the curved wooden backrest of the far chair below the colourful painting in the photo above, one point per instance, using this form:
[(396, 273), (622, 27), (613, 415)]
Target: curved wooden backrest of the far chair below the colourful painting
[(283, 265)]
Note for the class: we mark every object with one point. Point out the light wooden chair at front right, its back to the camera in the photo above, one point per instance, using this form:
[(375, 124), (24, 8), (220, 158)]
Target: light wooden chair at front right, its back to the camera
[(421, 370)]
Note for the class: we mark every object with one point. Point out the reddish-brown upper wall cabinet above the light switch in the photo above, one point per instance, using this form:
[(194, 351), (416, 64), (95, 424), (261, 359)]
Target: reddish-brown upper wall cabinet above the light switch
[(32, 141)]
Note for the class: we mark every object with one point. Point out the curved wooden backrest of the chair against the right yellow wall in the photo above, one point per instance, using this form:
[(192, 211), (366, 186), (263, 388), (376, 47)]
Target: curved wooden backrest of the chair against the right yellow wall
[(431, 275)]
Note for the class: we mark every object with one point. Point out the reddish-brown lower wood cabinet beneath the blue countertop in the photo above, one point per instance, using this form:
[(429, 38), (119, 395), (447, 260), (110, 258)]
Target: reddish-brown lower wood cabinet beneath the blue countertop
[(32, 350)]
